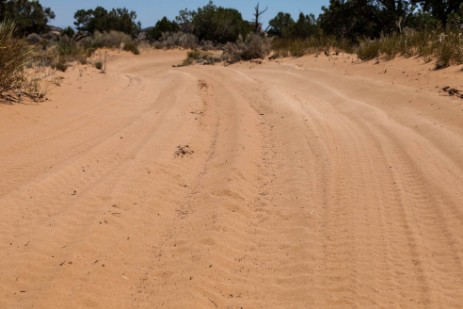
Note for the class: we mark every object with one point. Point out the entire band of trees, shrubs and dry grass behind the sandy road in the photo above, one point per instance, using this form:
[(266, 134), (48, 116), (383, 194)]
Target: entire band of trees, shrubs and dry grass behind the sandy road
[(371, 29)]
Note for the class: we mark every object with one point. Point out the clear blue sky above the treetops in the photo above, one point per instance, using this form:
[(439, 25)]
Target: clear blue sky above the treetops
[(150, 11)]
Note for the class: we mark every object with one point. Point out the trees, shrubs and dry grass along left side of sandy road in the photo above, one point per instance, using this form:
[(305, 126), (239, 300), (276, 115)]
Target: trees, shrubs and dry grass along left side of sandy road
[(27, 41)]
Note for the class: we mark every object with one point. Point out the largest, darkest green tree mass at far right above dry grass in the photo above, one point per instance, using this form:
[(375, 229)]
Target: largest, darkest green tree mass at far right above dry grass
[(356, 19)]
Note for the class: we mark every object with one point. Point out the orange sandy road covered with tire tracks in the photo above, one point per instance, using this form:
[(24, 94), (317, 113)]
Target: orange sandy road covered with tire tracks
[(304, 185)]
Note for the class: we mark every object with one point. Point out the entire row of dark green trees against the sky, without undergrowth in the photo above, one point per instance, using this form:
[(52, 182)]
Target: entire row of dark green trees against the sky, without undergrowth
[(348, 19)]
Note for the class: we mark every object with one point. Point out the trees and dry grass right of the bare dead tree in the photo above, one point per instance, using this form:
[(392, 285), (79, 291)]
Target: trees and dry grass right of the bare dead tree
[(373, 29)]
